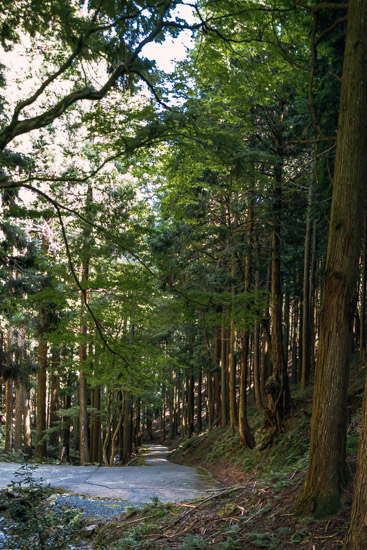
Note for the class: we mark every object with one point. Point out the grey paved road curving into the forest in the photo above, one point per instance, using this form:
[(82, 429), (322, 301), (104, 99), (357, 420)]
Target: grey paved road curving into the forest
[(139, 484)]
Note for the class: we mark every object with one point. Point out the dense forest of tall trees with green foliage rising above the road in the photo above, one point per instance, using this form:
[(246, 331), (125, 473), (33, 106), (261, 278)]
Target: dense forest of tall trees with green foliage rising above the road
[(176, 243)]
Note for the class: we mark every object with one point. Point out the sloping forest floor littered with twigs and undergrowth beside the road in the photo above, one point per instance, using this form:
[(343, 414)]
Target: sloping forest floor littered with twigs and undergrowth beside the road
[(255, 509)]
